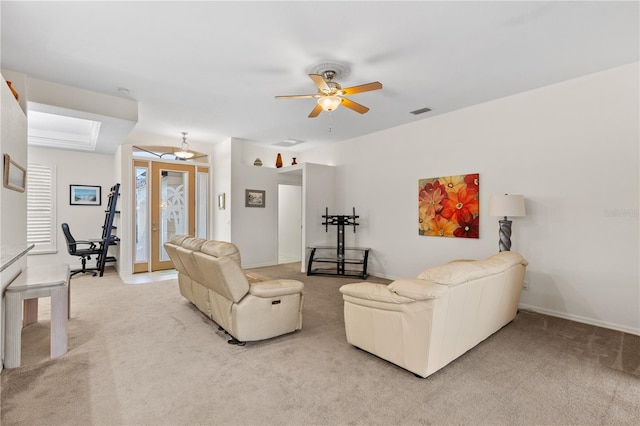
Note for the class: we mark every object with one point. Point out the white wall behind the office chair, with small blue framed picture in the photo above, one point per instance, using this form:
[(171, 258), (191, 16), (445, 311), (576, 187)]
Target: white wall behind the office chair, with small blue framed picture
[(85, 222)]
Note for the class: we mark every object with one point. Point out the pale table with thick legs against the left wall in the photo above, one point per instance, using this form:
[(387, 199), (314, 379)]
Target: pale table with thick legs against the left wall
[(34, 282)]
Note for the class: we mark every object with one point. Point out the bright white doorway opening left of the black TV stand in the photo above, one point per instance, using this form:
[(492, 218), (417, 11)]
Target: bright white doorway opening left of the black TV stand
[(289, 223)]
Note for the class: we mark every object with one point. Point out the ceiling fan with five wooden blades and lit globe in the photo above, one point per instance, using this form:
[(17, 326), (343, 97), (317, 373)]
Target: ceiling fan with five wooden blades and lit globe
[(331, 95)]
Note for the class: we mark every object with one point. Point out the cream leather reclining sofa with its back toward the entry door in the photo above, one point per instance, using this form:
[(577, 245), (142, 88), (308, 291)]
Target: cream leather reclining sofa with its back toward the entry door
[(211, 277)]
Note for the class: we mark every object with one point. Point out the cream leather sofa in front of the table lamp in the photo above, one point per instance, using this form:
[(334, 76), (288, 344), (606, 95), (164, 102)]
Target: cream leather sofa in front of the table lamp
[(423, 324)]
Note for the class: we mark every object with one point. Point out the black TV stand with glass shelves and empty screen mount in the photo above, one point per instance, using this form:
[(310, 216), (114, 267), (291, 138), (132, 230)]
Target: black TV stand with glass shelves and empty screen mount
[(340, 255)]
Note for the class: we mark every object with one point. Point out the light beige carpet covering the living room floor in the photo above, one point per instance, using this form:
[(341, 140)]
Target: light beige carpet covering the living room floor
[(141, 354)]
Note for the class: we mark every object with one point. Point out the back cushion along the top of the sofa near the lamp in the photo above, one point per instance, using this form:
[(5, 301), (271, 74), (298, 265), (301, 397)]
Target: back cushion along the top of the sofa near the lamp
[(458, 272)]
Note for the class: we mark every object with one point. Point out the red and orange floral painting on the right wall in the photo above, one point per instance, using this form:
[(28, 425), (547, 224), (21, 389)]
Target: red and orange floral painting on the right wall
[(449, 206)]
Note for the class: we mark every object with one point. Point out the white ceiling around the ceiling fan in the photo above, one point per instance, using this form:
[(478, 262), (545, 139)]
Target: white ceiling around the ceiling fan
[(213, 68)]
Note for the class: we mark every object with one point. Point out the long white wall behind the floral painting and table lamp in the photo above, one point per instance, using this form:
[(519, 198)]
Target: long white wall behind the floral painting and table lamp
[(570, 148)]
